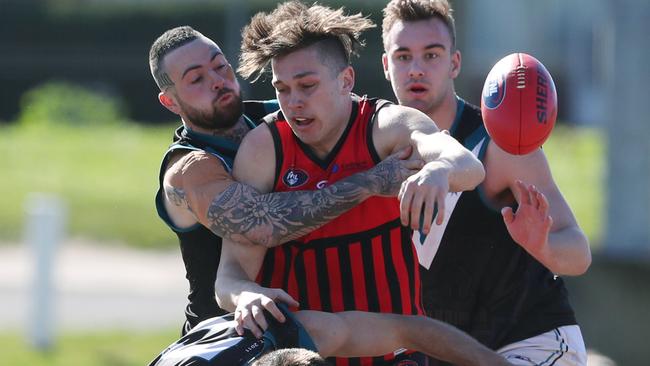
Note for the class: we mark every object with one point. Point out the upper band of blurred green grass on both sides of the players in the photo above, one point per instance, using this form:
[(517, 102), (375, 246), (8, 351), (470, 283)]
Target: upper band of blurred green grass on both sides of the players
[(108, 176)]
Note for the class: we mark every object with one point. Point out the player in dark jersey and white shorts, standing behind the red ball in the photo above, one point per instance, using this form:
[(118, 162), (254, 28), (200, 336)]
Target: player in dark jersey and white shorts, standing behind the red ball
[(491, 267)]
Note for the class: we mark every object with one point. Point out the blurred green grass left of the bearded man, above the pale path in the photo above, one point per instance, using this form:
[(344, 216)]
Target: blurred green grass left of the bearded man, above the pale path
[(107, 176)]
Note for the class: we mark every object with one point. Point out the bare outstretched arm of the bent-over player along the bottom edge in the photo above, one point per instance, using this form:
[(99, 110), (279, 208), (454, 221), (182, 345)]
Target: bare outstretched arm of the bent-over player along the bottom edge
[(355, 334)]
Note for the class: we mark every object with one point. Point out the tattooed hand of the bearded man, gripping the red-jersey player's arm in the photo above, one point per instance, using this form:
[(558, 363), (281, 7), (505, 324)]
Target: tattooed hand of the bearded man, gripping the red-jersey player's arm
[(385, 178)]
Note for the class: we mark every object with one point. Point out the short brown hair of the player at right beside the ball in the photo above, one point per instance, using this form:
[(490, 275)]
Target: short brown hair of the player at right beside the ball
[(414, 10)]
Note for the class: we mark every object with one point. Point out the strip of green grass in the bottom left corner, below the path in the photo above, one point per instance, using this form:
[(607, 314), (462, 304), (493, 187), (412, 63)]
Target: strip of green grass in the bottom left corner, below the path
[(112, 348)]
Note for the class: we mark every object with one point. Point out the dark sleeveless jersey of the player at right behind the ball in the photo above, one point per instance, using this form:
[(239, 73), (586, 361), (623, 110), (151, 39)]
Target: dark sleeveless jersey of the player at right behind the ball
[(480, 280)]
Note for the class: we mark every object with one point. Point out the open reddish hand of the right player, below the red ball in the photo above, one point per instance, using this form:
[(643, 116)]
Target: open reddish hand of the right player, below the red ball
[(531, 224)]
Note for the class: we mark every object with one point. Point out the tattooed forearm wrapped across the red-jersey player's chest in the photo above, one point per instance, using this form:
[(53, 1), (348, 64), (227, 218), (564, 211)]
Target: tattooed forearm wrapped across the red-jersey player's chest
[(240, 213)]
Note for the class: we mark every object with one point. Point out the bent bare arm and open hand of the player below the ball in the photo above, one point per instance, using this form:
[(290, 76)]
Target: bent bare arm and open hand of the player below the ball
[(543, 223)]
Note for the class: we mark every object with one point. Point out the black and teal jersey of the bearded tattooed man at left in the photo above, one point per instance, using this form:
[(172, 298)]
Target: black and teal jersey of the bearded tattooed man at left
[(200, 248)]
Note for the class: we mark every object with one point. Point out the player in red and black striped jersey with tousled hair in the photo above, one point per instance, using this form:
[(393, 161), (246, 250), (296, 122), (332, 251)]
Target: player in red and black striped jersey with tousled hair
[(363, 260)]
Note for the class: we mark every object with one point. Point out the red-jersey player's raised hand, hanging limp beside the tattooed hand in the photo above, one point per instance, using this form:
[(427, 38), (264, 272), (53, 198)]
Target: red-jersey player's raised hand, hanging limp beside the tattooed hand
[(422, 193)]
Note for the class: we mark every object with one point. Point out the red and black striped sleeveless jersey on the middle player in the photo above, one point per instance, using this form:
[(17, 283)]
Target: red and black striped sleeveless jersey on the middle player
[(363, 260)]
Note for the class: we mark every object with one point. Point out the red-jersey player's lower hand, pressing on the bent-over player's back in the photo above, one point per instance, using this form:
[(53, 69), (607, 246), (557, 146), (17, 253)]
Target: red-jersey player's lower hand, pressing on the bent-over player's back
[(250, 309)]
